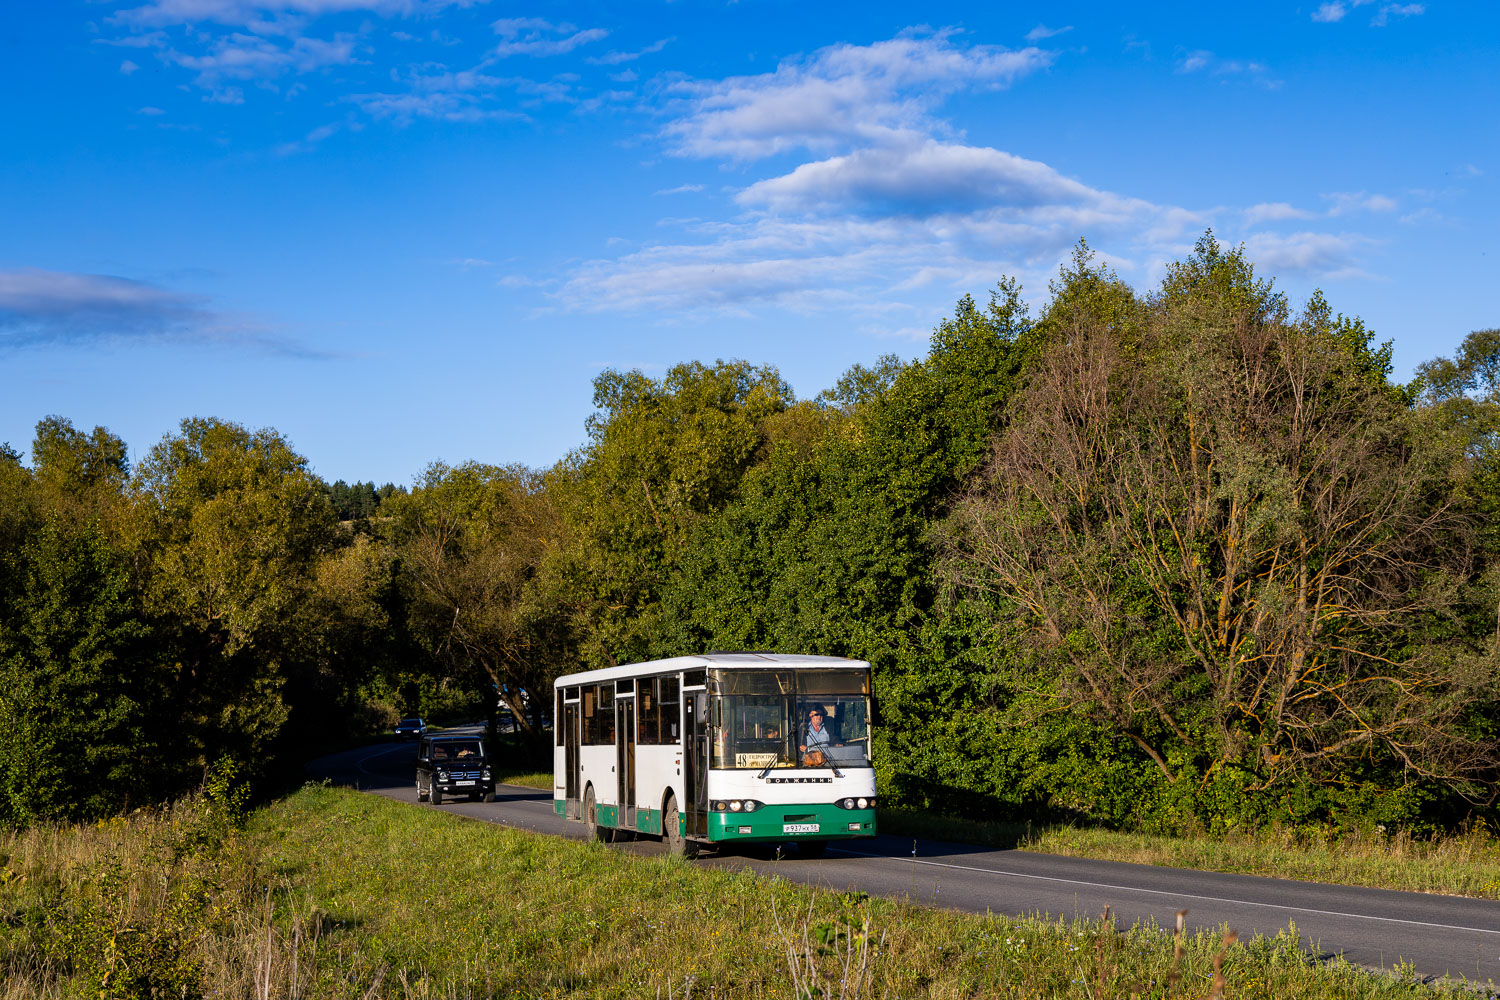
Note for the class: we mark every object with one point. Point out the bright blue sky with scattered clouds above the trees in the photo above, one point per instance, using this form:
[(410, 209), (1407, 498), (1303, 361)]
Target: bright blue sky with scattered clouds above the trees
[(416, 230)]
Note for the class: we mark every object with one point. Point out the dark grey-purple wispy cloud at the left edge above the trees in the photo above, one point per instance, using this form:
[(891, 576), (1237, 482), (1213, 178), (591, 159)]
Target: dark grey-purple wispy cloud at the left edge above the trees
[(47, 308)]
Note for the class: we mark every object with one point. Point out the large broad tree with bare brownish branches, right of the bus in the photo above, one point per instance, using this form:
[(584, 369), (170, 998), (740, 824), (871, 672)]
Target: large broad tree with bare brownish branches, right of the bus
[(1235, 548)]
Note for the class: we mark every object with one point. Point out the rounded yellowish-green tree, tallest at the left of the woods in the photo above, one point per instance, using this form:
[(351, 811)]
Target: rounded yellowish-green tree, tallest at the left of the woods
[(230, 528)]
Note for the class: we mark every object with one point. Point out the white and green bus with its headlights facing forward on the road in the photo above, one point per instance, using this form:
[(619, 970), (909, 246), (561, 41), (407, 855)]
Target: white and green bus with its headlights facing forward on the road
[(727, 747)]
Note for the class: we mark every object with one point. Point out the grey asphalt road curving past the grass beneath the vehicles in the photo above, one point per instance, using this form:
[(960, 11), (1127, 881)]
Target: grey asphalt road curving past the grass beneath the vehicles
[(1373, 927)]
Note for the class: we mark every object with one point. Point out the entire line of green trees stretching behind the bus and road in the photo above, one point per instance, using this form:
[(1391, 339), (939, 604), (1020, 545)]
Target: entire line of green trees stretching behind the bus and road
[(1180, 560)]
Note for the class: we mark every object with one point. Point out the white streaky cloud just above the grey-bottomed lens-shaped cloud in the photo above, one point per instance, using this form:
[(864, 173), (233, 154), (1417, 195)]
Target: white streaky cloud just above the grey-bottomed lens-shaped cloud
[(842, 97)]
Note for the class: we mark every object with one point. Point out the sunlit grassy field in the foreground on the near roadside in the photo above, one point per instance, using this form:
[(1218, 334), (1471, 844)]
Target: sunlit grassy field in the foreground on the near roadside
[(337, 894)]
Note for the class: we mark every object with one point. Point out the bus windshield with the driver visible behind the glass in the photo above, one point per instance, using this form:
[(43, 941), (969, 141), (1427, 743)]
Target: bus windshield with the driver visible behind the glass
[(790, 719)]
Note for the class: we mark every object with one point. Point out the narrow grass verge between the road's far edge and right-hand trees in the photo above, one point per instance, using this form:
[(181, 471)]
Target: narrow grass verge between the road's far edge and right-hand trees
[(1465, 864)]
